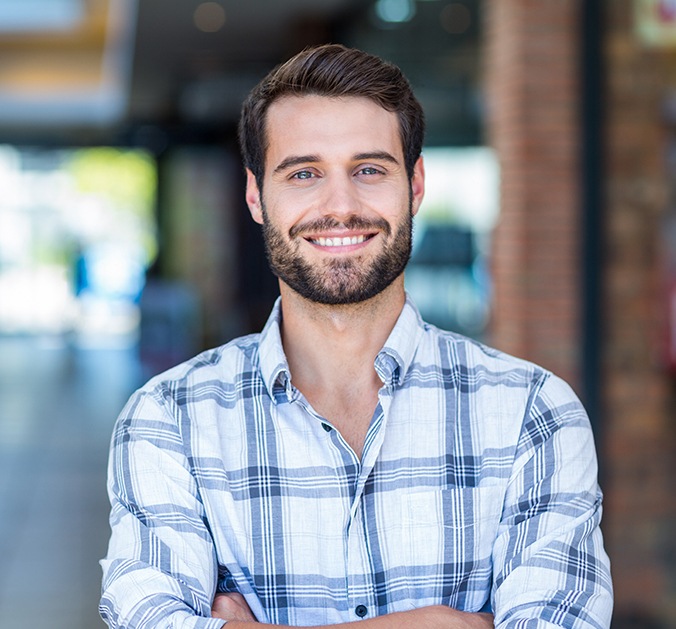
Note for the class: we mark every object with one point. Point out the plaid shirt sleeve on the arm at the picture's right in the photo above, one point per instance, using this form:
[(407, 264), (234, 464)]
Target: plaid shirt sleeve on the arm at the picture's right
[(550, 567)]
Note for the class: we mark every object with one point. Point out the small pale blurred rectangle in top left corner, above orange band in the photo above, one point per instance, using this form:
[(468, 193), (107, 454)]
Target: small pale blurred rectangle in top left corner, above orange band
[(40, 15)]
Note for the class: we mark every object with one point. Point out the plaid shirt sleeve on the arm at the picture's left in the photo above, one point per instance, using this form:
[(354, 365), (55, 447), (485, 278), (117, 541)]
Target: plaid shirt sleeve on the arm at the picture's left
[(161, 568)]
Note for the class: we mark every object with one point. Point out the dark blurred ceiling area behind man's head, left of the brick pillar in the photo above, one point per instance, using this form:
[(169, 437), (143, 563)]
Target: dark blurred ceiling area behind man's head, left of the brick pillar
[(127, 71)]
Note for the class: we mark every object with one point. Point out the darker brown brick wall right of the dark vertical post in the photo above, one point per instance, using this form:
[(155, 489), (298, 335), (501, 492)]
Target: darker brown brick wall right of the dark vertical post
[(639, 449)]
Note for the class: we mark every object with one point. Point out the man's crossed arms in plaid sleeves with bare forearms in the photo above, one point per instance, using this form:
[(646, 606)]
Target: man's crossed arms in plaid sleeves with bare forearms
[(549, 567)]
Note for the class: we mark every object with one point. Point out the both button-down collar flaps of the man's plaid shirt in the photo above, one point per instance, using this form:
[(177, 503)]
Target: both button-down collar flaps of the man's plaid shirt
[(391, 364)]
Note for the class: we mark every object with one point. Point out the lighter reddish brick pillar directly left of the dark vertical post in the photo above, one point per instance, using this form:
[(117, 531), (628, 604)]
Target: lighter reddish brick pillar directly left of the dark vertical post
[(531, 80)]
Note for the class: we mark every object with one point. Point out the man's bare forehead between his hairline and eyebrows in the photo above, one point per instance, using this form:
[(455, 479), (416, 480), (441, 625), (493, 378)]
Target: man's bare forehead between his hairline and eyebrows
[(317, 124)]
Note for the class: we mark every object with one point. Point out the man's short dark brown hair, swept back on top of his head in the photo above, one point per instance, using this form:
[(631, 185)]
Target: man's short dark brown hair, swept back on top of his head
[(331, 70)]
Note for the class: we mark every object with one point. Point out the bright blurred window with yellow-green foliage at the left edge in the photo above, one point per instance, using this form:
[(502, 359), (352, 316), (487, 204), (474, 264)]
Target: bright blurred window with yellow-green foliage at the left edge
[(77, 232)]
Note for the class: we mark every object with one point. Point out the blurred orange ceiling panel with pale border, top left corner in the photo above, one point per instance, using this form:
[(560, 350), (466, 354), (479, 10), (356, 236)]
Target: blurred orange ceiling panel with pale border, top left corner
[(77, 77)]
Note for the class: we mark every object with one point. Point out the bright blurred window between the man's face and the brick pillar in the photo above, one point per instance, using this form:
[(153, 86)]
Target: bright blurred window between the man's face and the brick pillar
[(447, 276)]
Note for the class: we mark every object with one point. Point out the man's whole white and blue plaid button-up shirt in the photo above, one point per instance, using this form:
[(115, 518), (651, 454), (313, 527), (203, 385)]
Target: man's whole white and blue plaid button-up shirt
[(476, 489)]
